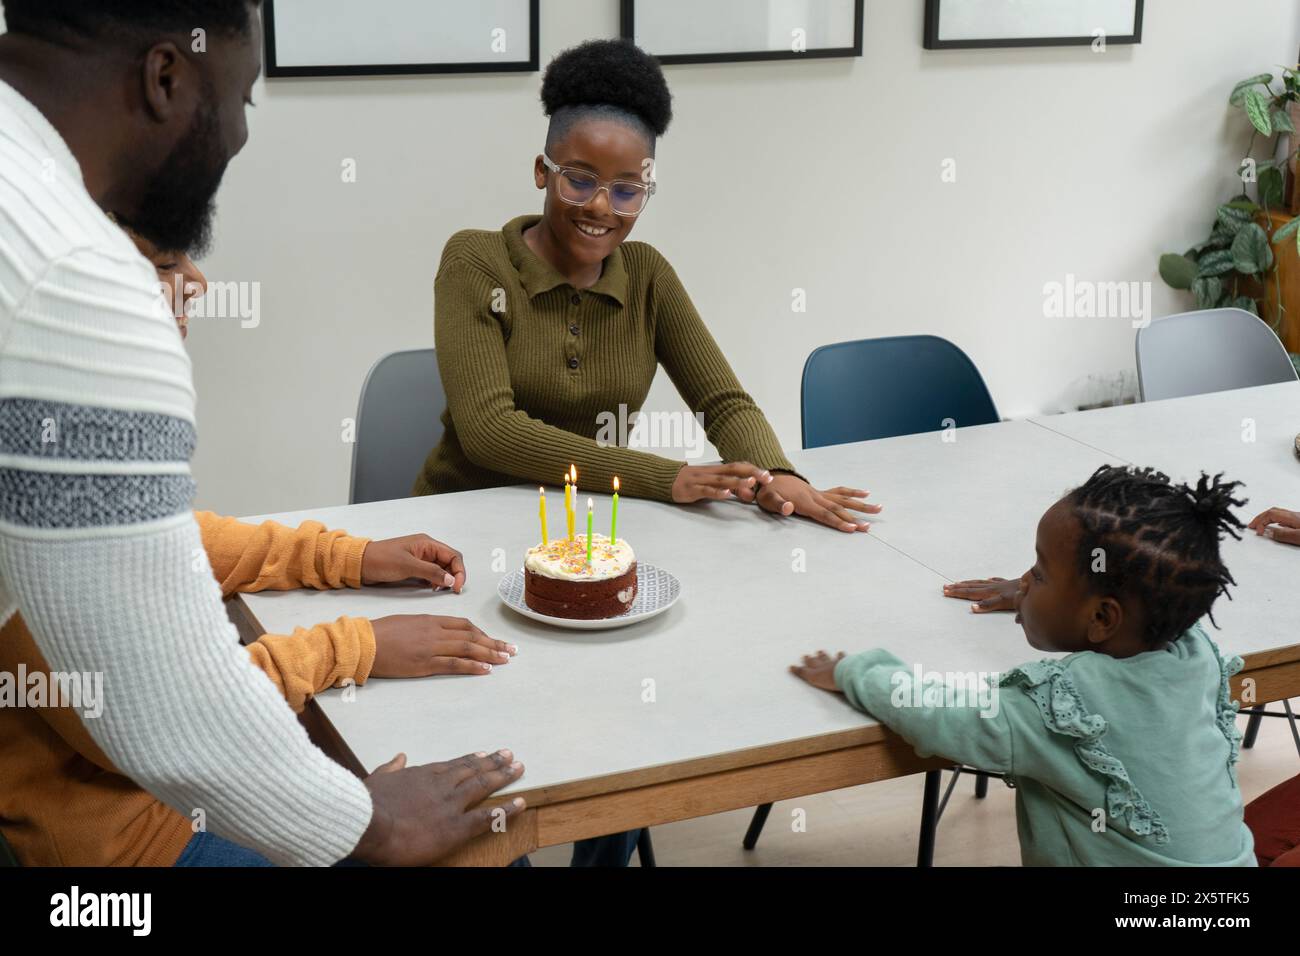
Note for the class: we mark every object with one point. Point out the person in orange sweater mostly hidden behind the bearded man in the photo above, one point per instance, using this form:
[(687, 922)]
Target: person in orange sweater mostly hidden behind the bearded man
[(66, 803)]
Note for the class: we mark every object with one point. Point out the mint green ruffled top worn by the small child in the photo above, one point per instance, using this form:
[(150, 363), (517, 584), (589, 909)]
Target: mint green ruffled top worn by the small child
[(1116, 763)]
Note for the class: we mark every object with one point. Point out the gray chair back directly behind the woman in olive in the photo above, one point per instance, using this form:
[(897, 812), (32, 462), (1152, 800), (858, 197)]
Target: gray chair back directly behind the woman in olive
[(398, 425)]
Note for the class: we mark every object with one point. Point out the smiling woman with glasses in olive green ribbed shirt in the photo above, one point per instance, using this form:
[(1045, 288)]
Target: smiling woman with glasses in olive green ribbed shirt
[(548, 327)]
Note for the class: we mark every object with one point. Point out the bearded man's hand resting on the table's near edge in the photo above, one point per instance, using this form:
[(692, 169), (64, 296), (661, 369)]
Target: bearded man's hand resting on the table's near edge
[(424, 814)]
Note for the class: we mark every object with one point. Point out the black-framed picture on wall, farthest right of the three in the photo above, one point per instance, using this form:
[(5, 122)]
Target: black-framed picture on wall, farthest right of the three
[(978, 24)]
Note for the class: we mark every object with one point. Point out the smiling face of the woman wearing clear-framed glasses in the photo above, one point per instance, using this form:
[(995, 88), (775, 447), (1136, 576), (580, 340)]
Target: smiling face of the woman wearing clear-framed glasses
[(584, 236)]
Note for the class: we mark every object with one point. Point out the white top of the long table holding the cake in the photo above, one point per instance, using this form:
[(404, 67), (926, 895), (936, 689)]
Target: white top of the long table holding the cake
[(571, 703)]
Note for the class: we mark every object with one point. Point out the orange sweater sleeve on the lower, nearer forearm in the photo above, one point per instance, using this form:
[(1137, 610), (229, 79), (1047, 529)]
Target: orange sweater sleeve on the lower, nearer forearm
[(314, 660)]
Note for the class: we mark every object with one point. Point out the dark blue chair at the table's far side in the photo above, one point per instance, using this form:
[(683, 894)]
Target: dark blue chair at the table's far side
[(886, 388)]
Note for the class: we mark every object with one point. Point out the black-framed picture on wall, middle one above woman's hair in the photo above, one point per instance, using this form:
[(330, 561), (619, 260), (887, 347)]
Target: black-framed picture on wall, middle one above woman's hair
[(691, 32)]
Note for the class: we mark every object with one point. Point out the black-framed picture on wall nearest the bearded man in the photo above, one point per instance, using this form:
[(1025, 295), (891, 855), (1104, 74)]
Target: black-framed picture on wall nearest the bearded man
[(385, 38)]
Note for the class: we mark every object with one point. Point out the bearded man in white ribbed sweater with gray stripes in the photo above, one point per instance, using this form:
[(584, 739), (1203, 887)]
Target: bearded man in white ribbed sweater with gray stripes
[(110, 107)]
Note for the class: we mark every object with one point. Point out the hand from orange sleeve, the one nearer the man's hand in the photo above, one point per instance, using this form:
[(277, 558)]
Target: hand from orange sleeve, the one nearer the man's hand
[(422, 646)]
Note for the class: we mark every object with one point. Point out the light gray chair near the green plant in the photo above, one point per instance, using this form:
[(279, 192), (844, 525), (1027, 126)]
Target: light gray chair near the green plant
[(1214, 351)]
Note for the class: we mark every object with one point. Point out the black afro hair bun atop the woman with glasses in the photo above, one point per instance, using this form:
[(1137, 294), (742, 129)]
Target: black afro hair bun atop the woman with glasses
[(609, 73)]
